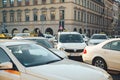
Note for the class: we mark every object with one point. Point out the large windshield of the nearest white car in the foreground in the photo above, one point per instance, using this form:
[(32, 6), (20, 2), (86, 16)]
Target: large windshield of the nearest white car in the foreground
[(33, 54)]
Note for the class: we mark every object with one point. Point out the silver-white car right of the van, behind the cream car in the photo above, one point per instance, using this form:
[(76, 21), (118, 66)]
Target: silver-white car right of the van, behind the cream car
[(97, 38)]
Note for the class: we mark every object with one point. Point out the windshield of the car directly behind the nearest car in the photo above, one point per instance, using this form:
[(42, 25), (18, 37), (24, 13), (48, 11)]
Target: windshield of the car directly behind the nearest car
[(43, 42)]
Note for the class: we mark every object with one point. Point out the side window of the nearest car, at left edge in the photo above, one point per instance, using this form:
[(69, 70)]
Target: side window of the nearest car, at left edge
[(3, 56)]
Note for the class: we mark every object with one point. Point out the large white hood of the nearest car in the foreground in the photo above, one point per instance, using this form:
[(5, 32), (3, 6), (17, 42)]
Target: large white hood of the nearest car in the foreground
[(67, 70)]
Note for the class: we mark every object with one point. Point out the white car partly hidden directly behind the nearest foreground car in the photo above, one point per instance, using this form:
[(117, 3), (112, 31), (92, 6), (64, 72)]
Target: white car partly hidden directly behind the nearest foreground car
[(44, 42)]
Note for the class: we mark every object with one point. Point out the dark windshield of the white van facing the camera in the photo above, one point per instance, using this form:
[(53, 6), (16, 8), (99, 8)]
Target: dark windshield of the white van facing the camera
[(71, 38)]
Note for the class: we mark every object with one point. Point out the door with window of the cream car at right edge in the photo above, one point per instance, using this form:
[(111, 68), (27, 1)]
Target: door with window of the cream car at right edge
[(113, 55)]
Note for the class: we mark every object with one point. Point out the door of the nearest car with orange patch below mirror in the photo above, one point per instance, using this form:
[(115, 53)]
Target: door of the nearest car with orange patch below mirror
[(7, 74)]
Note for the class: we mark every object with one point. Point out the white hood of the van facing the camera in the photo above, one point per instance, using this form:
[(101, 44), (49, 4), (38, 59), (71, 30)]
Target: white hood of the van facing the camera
[(73, 45)]
